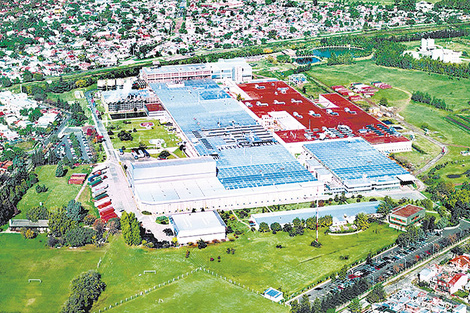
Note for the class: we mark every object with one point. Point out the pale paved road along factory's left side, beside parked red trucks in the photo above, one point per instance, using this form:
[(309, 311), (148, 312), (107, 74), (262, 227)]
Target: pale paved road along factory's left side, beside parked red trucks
[(119, 189)]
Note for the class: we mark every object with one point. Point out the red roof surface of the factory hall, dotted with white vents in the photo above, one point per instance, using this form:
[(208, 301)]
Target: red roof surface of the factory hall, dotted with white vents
[(278, 96)]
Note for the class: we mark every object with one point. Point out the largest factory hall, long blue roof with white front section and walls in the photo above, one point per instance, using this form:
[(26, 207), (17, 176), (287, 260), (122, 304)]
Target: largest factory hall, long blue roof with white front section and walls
[(234, 163)]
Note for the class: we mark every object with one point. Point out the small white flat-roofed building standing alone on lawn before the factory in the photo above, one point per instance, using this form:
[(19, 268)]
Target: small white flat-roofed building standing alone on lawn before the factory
[(191, 227)]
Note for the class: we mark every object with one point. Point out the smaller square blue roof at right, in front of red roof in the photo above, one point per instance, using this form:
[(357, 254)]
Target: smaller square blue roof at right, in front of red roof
[(355, 159)]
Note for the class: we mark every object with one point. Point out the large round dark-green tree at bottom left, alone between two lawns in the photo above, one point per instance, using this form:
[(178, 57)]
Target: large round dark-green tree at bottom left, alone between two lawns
[(85, 289)]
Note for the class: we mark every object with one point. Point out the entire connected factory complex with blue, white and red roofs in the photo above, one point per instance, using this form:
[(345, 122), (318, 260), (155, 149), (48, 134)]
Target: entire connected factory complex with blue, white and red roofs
[(273, 147)]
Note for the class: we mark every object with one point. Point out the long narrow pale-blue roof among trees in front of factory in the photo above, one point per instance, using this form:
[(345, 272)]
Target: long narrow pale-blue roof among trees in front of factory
[(336, 211)]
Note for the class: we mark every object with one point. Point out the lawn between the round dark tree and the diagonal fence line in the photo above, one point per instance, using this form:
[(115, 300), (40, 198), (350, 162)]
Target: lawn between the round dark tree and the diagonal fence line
[(123, 270)]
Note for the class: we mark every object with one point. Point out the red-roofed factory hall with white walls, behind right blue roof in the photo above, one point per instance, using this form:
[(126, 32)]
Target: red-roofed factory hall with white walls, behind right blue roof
[(295, 120)]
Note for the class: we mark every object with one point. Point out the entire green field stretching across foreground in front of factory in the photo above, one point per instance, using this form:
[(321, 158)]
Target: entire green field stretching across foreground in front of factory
[(257, 263)]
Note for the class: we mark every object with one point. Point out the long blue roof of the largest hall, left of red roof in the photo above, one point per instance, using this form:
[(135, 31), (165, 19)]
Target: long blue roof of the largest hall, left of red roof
[(246, 154)]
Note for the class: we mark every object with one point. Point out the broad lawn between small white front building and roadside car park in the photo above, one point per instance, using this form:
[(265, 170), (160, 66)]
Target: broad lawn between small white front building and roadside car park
[(256, 255)]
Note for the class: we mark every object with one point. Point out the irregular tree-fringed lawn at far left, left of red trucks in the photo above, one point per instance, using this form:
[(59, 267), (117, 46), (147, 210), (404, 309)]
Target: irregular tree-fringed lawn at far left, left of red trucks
[(59, 191)]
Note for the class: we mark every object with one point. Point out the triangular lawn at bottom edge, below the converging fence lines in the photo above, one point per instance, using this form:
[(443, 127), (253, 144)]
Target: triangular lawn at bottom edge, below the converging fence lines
[(201, 292)]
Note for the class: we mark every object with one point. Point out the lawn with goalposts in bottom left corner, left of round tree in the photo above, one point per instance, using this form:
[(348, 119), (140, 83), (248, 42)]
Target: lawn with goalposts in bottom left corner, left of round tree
[(24, 259)]
